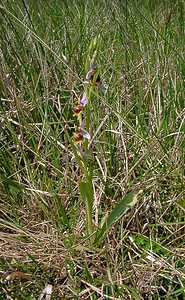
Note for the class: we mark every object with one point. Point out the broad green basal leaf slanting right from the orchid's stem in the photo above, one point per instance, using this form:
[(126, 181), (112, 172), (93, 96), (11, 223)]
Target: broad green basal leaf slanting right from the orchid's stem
[(121, 208)]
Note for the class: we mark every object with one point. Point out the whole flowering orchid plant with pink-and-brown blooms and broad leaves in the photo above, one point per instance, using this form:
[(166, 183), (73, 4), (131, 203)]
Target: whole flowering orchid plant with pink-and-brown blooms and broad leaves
[(82, 155)]
